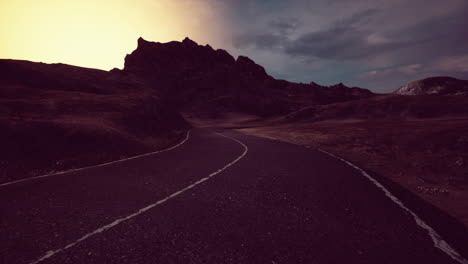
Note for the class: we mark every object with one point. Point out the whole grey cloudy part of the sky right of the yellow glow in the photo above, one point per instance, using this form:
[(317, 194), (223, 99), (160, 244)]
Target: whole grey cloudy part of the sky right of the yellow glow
[(372, 42)]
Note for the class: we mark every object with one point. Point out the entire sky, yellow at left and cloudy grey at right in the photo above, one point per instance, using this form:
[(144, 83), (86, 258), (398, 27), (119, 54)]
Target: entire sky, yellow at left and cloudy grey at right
[(375, 44)]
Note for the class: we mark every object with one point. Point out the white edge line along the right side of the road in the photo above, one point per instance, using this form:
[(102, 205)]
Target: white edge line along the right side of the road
[(438, 241)]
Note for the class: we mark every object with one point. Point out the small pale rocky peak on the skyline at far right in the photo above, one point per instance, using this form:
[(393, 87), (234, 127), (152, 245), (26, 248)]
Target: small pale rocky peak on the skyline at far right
[(435, 86)]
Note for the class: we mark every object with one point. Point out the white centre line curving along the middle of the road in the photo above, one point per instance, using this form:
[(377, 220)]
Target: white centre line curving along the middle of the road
[(120, 220)]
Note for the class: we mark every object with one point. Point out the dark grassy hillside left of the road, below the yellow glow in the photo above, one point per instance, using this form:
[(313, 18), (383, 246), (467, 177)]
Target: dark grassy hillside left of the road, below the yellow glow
[(55, 117)]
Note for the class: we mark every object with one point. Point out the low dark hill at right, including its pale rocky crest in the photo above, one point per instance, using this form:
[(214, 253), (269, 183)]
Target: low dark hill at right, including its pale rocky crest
[(426, 101)]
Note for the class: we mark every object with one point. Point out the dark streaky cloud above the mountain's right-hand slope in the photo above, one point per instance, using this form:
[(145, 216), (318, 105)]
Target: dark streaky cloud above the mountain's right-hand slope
[(343, 41)]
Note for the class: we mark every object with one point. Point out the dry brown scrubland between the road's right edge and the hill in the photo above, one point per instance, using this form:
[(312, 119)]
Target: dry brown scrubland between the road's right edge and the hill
[(428, 157)]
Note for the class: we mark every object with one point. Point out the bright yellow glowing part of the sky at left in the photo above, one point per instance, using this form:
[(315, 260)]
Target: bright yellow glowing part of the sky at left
[(96, 34)]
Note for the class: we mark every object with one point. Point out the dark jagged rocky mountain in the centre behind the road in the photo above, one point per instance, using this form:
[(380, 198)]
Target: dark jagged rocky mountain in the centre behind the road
[(199, 78)]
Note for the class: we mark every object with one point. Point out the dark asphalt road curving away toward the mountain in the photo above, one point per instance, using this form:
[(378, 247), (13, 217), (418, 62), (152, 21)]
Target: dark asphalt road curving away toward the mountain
[(217, 198)]
